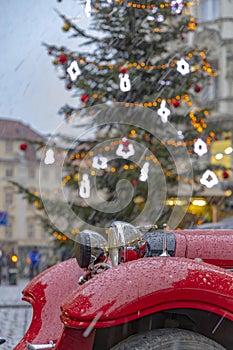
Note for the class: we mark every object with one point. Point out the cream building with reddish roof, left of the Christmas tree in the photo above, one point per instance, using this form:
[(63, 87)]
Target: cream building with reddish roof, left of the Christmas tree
[(20, 162)]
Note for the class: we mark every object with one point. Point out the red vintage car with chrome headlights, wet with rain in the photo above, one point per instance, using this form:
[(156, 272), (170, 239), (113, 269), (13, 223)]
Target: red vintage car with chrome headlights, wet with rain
[(145, 288)]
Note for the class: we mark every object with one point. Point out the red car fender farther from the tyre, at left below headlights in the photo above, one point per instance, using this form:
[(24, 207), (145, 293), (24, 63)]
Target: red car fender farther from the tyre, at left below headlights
[(45, 293)]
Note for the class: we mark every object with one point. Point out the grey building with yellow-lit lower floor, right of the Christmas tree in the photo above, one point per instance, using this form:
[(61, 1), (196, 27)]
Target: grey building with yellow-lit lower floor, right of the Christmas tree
[(214, 35)]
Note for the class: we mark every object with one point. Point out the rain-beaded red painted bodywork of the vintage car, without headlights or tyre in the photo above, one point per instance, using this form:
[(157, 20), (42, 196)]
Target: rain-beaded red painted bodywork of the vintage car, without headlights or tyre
[(131, 290)]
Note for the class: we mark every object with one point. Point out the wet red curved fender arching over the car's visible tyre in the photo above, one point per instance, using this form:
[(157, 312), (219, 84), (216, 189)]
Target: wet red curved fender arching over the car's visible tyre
[(145, 286)]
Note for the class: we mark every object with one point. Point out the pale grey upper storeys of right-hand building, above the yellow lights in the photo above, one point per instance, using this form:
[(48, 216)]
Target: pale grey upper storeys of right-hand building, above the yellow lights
[(215, 34)]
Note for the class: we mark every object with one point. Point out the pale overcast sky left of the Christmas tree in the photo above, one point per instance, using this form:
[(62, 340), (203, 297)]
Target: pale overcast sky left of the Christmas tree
[(29, 86)]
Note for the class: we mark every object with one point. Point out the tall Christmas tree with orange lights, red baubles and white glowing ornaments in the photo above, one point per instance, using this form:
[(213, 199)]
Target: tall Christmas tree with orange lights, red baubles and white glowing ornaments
[(138, 83)]
